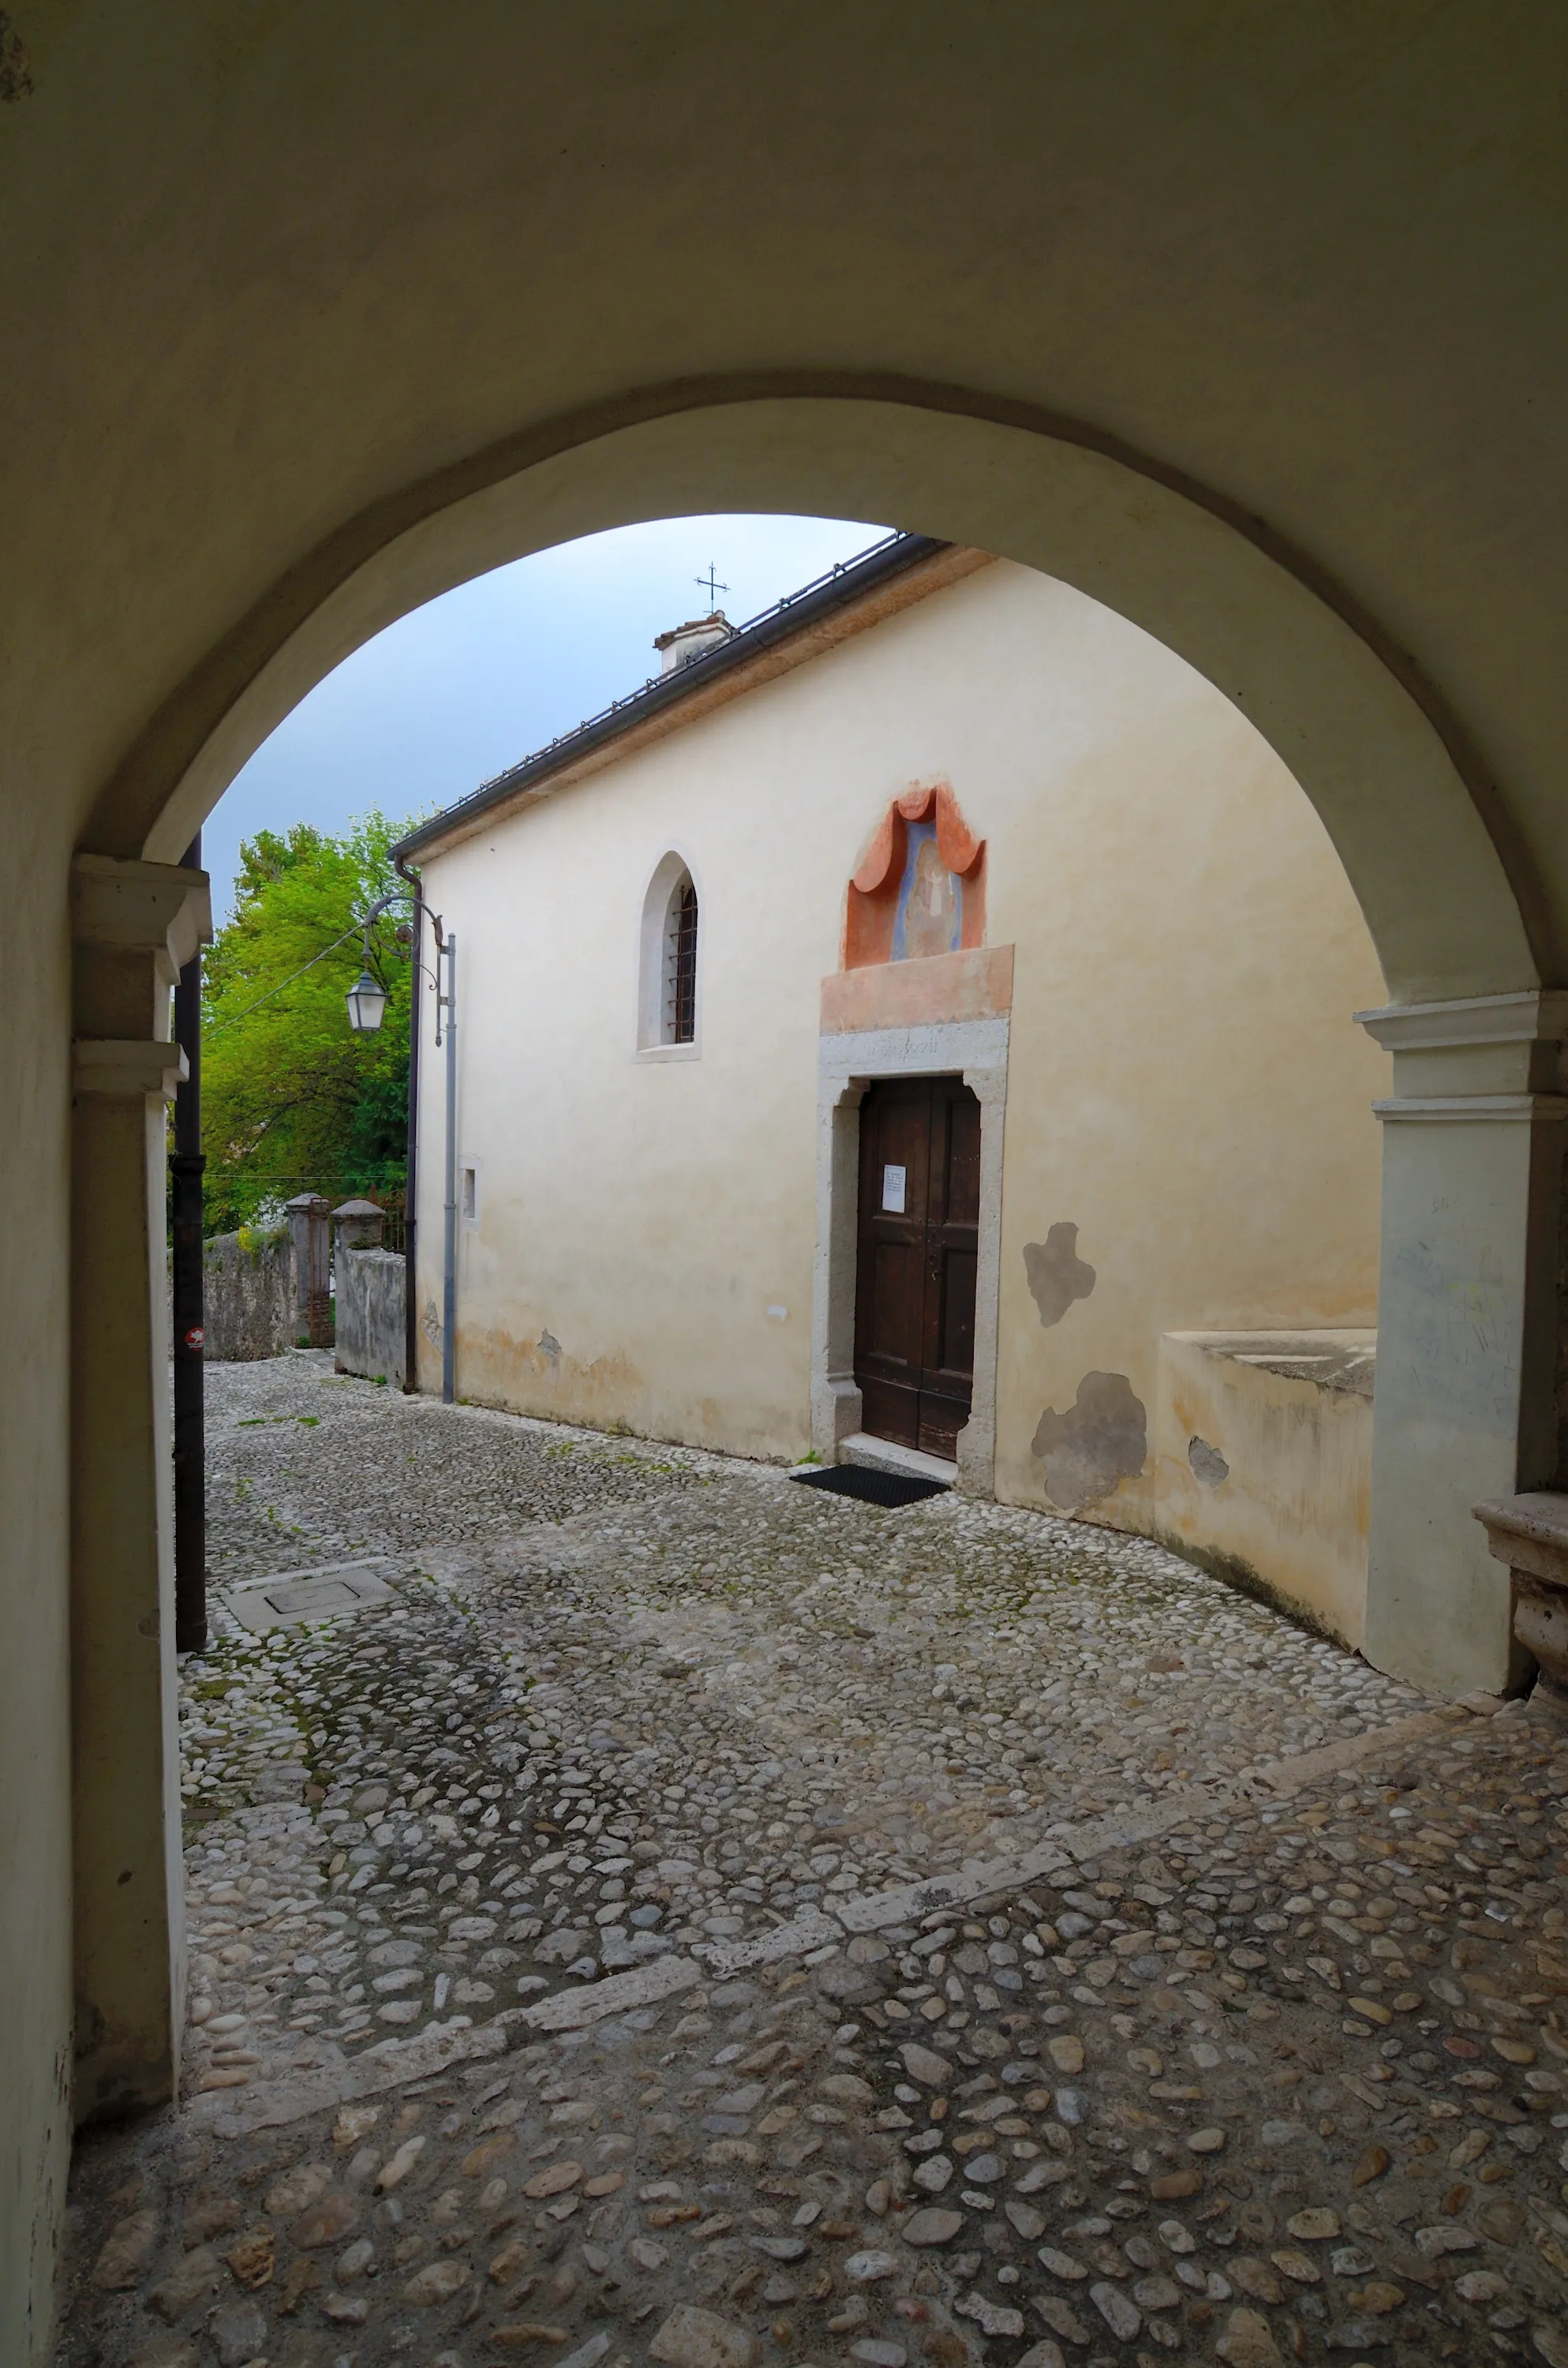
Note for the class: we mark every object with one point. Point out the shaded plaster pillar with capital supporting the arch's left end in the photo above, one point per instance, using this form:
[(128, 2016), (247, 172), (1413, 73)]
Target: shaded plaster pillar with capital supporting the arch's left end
[(134, 929)]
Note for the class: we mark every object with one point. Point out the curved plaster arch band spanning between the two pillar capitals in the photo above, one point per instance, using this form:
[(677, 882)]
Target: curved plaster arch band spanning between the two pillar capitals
[(1368, 740)]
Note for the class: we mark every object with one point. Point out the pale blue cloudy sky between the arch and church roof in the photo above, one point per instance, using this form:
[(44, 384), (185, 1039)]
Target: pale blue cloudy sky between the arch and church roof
[(491, 671)]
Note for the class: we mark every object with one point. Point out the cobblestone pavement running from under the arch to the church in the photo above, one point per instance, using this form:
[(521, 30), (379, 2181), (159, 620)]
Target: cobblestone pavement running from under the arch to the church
[(707, 1922)]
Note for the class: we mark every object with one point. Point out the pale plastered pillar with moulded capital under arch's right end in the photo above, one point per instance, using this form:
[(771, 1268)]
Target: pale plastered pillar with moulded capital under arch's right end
[(1467, 1323)]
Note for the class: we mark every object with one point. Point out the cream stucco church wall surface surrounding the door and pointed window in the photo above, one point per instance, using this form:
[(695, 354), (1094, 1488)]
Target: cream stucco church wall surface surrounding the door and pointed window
[(1185, 1079)]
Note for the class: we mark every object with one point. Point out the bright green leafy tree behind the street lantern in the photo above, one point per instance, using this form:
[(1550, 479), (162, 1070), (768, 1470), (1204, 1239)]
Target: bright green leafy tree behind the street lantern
[(290, 1098)]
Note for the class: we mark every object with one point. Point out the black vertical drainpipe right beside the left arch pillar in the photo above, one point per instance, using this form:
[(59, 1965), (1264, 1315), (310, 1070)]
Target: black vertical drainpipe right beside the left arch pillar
[(188, 1315)]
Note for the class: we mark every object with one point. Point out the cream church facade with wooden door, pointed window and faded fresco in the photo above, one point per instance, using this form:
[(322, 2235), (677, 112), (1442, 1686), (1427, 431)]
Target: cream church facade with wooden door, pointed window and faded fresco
[(920, 1029)]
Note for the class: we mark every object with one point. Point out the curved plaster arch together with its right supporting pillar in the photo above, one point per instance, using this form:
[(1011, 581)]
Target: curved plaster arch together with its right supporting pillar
[(1368, 740)]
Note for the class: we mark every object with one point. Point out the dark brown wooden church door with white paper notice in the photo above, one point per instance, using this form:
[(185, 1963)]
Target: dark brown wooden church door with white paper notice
[(920, 1211)]
